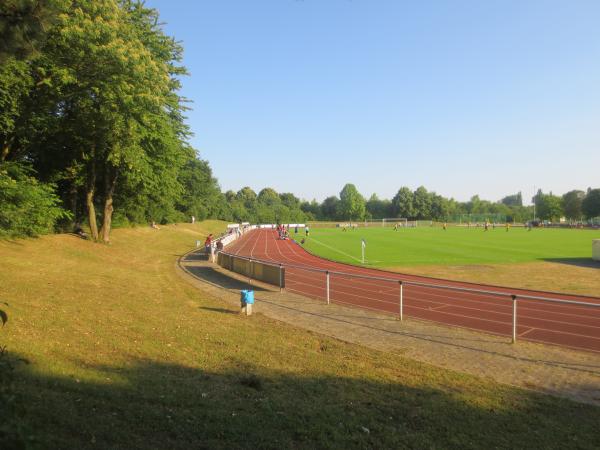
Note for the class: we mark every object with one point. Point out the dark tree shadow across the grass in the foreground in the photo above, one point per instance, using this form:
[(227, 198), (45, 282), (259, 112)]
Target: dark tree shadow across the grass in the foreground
[(154, 404)]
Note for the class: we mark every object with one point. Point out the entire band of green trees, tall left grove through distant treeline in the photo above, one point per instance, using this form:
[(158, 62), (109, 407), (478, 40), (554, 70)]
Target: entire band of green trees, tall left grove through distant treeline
[(92, 130)]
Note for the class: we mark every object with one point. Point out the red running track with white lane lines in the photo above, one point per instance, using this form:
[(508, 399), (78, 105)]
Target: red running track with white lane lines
[(567, 325)]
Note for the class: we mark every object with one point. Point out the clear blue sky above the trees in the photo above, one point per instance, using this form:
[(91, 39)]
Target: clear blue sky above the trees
[(463, 97)]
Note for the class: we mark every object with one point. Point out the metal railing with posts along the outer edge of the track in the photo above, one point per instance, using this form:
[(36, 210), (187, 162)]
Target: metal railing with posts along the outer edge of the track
[(513, 296)]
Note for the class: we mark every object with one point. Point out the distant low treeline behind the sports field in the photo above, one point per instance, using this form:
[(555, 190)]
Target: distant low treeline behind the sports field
[(420, 204)]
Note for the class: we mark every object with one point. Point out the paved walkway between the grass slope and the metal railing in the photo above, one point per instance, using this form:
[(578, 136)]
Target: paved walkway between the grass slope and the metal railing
[(544, 368)]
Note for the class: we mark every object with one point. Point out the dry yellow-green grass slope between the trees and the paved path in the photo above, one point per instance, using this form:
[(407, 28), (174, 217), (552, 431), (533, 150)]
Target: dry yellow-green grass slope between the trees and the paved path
[(115, 350)]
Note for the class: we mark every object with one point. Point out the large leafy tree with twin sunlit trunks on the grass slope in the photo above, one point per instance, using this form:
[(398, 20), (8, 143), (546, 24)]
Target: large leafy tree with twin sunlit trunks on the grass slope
[(112, 92)]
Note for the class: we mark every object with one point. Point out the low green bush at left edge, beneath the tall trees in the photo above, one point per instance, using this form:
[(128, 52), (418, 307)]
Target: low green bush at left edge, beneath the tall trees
[(28, 207)]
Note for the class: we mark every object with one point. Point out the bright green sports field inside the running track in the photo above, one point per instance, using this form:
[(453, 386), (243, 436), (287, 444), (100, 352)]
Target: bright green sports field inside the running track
[(434, 246)]
